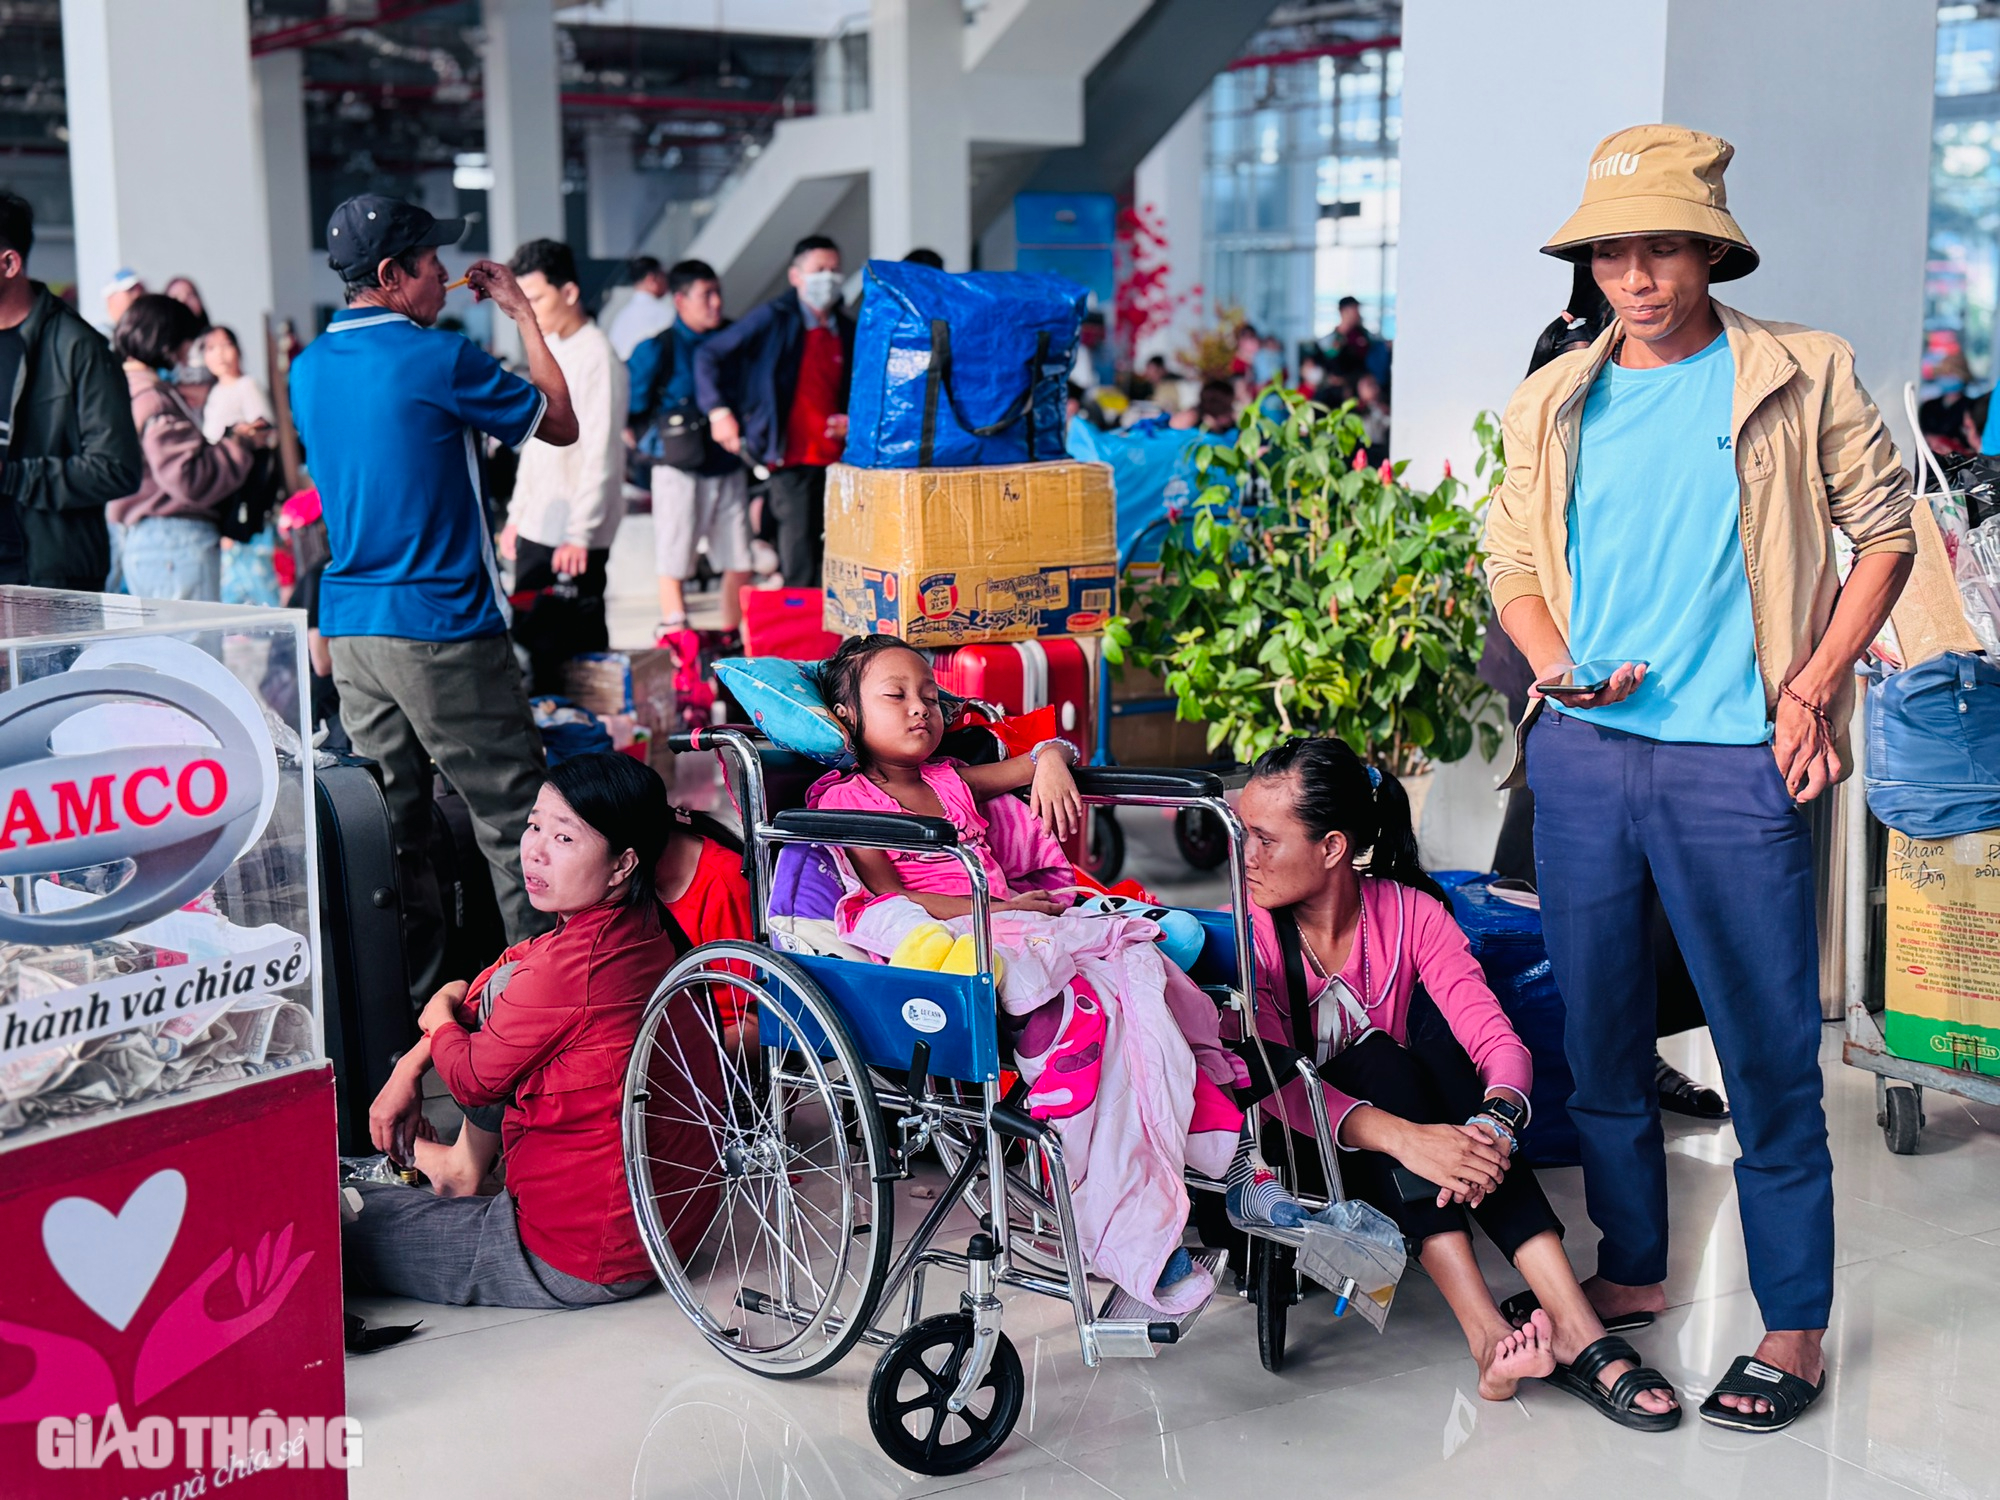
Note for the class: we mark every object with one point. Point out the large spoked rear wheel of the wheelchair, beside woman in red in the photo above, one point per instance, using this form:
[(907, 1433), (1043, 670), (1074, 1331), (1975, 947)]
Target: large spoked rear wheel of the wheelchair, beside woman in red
[(757, 1161)]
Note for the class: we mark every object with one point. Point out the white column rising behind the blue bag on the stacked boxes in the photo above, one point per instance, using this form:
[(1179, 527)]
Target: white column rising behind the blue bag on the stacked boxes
[(921, 183)]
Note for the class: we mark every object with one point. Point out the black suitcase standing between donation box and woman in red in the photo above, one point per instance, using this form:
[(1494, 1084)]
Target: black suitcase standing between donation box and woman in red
[(363, 975)]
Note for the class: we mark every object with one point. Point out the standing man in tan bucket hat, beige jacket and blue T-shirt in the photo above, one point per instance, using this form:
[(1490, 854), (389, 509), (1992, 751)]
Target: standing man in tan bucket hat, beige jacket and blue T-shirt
[(1667, 529)]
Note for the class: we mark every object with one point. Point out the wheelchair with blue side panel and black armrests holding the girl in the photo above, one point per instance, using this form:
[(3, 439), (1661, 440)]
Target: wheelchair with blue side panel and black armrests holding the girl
[(771, 1223)]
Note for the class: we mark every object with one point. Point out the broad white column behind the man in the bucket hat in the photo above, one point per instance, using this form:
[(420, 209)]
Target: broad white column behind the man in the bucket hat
[(1827, 105)]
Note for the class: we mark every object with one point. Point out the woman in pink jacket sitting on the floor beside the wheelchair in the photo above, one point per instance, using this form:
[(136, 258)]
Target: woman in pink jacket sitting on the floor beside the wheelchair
[(1361, 967)]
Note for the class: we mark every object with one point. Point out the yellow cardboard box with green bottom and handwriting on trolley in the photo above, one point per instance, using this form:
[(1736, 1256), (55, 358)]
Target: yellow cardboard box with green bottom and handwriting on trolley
[(1945, 951)]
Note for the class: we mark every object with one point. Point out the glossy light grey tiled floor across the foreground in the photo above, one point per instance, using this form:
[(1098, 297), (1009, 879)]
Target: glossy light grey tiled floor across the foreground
[(629, 1401)]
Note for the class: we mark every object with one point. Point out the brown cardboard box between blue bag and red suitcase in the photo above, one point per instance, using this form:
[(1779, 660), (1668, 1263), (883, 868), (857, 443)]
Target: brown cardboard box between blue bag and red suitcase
[(955, 557)]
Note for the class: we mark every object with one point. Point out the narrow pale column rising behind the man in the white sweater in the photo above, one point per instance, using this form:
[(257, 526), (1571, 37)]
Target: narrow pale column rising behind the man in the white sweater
[(523, 125)]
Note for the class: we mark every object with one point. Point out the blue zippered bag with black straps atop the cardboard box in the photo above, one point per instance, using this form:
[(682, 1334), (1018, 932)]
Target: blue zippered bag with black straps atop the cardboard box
[(961, 371)]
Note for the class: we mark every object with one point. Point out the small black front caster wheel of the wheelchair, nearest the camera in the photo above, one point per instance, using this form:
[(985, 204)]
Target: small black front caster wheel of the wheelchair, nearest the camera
[(913, 1383)]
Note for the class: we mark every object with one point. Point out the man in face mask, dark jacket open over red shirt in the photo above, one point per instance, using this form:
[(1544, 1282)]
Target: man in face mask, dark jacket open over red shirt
[(775, 387)]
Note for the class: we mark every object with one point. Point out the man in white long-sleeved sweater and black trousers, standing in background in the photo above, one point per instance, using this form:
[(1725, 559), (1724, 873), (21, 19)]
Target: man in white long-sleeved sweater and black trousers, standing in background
[(567, 501)]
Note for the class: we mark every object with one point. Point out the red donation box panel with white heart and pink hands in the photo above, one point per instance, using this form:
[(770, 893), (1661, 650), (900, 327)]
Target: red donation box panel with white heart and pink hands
[(171, 1309)]
